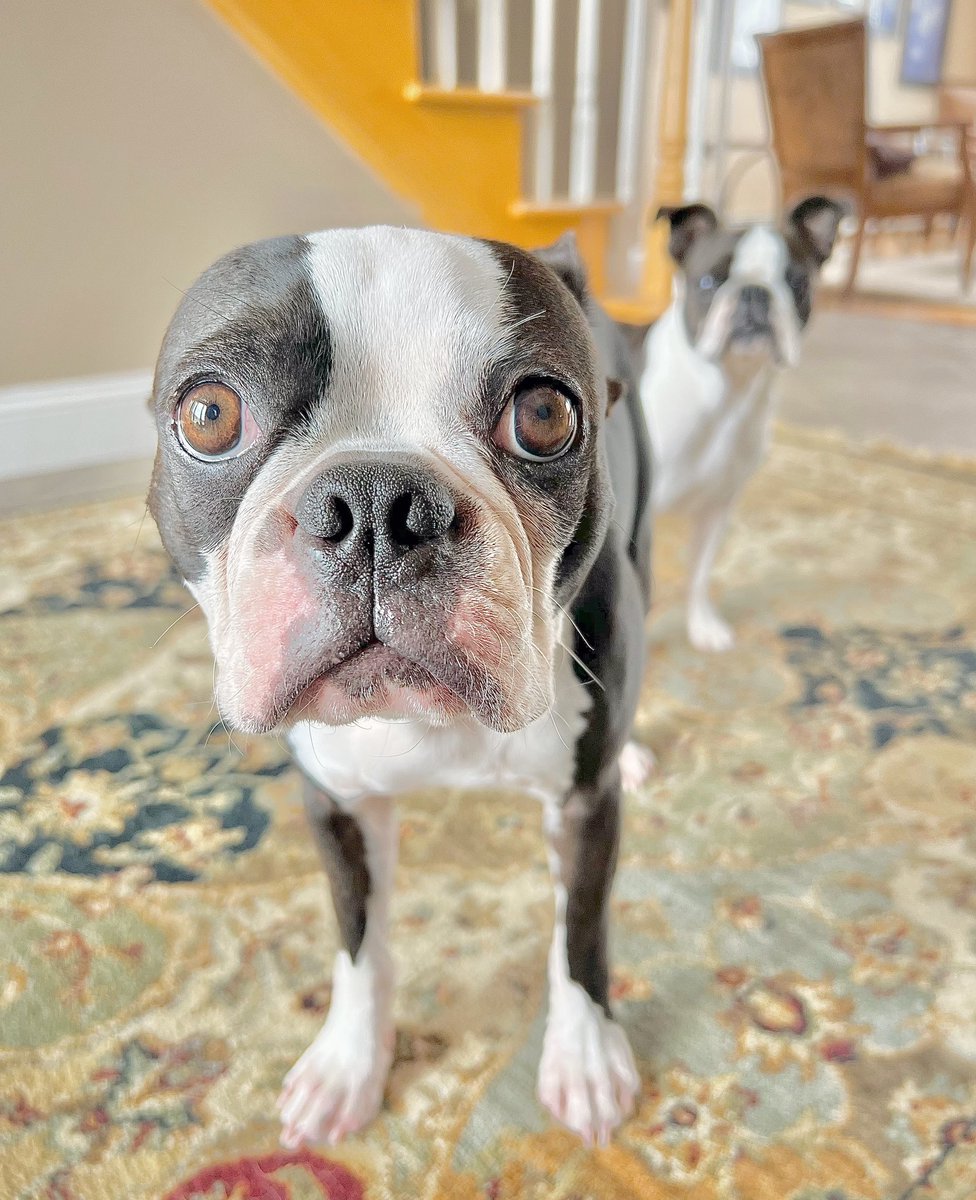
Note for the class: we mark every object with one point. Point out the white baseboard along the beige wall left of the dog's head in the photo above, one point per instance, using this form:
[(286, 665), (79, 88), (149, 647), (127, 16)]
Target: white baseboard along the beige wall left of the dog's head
[(68, 424)]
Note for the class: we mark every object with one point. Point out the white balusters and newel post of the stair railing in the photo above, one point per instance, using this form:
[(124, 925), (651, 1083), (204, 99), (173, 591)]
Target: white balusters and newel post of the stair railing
[(591, 134)]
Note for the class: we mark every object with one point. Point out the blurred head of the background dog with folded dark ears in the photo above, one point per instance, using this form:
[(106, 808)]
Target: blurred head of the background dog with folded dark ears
[(750, 291)]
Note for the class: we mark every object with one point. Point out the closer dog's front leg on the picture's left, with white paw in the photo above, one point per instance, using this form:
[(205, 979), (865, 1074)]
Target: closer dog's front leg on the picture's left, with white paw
[(337, 1087)]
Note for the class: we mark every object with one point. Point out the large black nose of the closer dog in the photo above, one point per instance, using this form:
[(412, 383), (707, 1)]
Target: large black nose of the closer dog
[(384, 506)]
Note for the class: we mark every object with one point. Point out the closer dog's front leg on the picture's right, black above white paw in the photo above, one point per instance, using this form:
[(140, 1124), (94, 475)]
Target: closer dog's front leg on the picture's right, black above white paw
[(588, 1078)]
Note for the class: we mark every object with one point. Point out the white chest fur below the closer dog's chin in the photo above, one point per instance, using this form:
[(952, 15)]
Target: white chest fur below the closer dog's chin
[(392, 758)]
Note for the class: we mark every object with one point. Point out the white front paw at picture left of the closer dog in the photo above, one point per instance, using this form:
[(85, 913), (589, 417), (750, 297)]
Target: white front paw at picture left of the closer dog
[(337, 1087)]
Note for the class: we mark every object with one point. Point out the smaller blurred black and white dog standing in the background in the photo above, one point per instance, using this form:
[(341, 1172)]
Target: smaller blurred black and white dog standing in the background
[(743, 299)]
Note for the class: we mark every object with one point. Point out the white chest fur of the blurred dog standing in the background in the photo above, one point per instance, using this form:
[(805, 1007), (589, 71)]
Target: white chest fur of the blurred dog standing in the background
[(709, 423)]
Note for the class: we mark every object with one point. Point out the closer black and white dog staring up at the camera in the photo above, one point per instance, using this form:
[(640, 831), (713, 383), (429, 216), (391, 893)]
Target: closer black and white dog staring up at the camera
[(387, 467)]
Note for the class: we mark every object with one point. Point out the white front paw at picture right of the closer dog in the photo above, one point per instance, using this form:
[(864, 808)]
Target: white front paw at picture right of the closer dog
[(588, 1077)]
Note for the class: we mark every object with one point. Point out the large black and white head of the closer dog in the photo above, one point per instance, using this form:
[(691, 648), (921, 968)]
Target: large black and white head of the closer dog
[(381, 472)]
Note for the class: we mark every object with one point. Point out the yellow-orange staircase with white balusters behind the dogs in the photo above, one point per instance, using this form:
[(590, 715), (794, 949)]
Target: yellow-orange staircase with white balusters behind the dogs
[(508, 119)]
